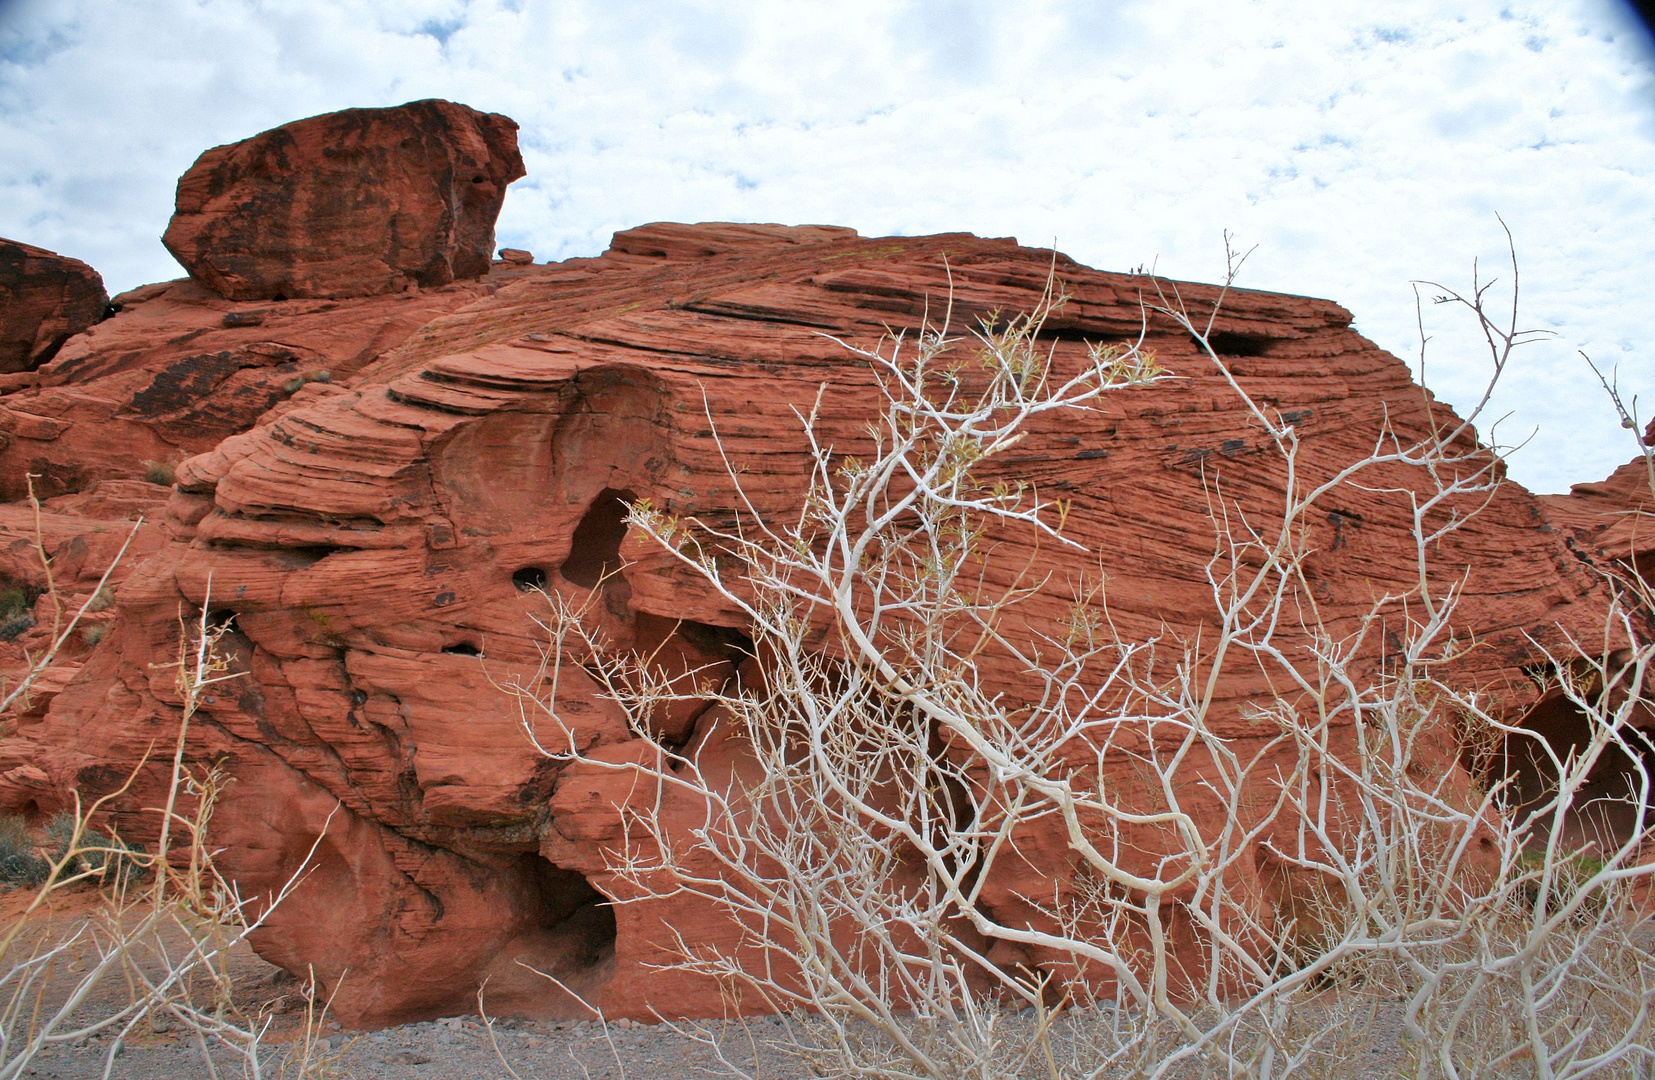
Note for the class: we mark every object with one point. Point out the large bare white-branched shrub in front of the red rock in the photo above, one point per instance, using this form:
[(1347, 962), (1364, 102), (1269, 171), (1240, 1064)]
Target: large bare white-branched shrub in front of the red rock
[(1436, 922)]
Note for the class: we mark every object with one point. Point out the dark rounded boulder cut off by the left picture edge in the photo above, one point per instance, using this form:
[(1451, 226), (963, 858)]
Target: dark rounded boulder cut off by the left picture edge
[(46, 300)]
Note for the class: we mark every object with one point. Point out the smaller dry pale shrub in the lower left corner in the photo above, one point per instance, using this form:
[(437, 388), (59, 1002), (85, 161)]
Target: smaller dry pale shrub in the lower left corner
[(155, 953)]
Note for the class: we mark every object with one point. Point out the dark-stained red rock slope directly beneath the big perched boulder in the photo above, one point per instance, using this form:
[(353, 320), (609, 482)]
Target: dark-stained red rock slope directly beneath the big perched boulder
[(178, 370)]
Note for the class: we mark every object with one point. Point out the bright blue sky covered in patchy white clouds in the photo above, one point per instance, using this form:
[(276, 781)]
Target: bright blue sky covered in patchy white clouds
[(1360, 146)]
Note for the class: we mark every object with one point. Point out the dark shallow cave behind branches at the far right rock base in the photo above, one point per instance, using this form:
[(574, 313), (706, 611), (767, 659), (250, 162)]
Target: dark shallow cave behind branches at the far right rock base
[(1606, 808)]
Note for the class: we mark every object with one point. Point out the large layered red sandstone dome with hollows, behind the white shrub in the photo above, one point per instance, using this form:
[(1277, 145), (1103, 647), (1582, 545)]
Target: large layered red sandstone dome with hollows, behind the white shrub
[(372, 540)]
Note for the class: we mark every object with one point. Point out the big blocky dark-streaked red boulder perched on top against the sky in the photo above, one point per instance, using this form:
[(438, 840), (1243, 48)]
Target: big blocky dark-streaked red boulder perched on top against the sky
[(348, 204)]
